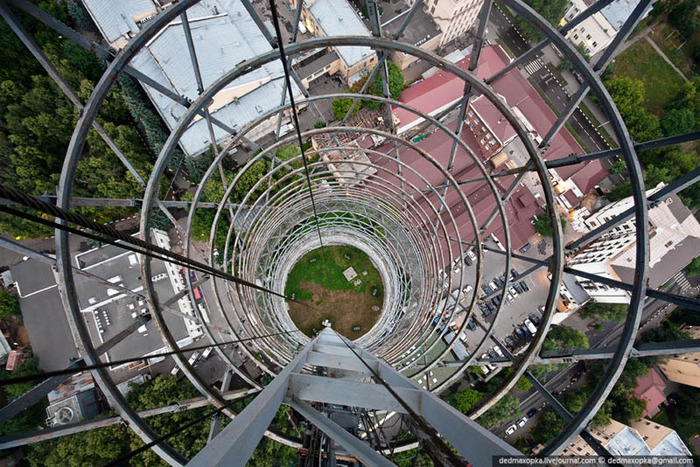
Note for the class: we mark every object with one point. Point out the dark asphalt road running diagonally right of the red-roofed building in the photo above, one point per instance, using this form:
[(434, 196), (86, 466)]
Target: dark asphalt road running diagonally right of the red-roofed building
[(547, 83)]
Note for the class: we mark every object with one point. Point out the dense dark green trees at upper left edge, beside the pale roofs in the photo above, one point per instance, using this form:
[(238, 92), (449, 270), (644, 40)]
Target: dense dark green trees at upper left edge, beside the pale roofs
[(37, 120)]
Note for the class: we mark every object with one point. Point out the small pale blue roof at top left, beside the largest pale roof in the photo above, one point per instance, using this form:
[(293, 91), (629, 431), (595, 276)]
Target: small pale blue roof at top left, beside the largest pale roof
[(115, 18)]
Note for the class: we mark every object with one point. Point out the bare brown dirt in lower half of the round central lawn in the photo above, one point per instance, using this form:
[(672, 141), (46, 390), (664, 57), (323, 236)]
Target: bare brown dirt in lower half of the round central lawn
[(345, 309)]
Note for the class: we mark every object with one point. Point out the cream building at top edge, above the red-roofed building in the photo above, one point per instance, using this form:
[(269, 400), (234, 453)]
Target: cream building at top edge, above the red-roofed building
[(454, 17)]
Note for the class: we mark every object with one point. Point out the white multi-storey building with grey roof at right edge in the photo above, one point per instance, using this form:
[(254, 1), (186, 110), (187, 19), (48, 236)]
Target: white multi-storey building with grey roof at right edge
[(674, 241)]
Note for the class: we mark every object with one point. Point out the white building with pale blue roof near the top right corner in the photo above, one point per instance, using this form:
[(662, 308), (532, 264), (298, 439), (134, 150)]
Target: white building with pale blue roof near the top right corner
[(597, 31)]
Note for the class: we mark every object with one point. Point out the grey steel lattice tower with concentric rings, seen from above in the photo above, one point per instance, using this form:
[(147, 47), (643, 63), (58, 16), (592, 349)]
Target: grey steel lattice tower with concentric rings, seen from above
[(302, 205)]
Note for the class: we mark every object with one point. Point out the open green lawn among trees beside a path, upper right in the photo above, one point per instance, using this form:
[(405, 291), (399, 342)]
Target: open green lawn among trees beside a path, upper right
[(661, 82)]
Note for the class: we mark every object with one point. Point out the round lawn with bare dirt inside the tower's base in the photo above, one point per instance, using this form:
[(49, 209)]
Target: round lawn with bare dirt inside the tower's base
[(319, 281)]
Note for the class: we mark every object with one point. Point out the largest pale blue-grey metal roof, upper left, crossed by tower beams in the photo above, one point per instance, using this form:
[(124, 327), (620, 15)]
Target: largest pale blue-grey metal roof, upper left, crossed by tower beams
[(221, 42)]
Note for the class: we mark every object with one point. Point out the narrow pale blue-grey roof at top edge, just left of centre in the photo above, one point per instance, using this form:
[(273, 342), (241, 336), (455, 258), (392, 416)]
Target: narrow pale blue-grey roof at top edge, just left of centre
[(337, 17)]
